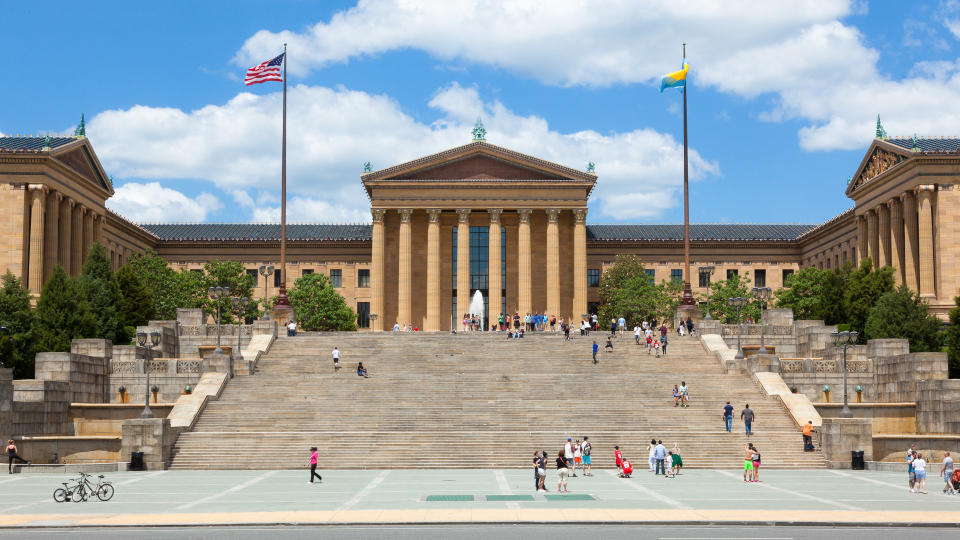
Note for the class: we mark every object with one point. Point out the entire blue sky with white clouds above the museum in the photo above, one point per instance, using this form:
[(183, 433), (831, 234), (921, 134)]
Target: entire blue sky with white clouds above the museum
[(783, 97)]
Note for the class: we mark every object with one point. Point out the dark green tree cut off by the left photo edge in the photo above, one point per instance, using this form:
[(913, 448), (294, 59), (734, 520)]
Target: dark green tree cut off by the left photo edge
[(17, 349)]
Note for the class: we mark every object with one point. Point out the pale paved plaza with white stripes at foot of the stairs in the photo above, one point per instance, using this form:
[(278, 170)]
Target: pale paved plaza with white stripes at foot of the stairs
[(401, 496)]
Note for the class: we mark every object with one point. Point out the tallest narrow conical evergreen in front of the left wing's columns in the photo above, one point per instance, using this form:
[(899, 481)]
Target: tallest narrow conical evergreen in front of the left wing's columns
[(99, 286)]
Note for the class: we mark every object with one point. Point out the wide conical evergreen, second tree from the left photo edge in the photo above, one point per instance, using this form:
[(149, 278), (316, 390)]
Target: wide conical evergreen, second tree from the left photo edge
[(62, 314)]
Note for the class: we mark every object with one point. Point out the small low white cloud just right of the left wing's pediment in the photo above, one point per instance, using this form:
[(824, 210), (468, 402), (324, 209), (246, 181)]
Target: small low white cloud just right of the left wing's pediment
[(151, 202)]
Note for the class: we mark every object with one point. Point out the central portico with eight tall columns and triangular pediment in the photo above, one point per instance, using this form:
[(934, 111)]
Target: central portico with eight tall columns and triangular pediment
[(507, 224)]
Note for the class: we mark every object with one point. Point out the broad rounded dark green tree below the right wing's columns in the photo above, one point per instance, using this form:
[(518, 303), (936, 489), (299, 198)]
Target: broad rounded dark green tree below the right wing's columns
[(902, 314)]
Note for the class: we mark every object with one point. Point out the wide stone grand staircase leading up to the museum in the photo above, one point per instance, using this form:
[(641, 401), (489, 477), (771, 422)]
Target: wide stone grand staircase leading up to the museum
[(479, 400)]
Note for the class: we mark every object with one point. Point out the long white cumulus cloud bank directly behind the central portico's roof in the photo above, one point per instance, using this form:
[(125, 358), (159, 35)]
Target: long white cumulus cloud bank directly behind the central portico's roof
[(332, 132)]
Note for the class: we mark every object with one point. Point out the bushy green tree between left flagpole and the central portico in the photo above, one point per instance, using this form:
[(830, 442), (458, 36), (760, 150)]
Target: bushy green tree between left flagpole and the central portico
[(319, 306)]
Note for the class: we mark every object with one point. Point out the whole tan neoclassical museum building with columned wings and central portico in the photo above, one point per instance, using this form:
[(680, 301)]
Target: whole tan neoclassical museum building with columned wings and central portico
[(480, 217)]
